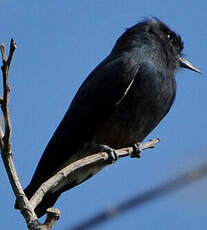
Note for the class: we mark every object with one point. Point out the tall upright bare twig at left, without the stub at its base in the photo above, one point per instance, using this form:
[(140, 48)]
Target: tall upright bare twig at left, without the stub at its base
[(5, 139)]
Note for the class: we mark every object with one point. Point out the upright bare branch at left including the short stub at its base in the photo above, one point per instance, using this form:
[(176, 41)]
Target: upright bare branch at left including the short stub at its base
[(6, 151)]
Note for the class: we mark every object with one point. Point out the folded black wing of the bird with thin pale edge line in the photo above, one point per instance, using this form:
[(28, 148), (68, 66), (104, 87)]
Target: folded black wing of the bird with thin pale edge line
[(99, 94)]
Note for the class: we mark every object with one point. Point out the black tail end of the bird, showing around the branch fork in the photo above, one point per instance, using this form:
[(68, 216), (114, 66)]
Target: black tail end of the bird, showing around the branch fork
[(48, 200)]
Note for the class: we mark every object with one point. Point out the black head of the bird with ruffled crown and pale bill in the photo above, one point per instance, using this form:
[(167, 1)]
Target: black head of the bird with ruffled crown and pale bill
[(159, 37)]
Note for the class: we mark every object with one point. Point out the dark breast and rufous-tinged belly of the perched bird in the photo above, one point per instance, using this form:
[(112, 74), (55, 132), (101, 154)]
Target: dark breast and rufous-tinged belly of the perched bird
[(146, 103)]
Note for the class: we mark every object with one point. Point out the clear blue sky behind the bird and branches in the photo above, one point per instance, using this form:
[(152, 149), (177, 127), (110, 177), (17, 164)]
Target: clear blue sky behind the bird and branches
[(59, 44)]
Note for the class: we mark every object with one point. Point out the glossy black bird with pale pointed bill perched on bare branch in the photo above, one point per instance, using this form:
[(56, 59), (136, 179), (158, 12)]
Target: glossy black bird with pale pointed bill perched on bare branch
[(118, 105)]
